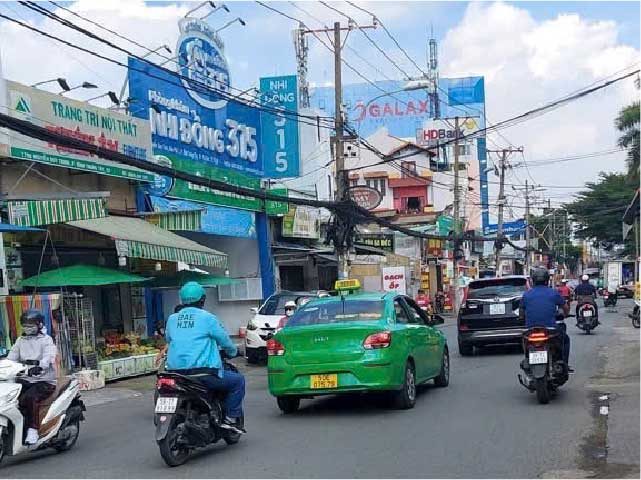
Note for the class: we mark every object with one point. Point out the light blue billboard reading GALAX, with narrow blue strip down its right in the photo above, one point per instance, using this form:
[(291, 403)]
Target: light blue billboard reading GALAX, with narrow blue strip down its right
[(386, 104)]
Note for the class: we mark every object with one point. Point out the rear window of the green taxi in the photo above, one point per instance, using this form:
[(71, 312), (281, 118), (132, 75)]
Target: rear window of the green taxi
[(338, 312)]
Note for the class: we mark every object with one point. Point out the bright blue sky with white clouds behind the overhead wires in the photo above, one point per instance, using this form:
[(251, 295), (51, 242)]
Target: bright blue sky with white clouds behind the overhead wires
[(529, 52)]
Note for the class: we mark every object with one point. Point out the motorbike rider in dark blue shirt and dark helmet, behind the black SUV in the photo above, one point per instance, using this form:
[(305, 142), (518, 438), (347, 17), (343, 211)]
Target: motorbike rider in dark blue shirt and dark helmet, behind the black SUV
[(539, 306)]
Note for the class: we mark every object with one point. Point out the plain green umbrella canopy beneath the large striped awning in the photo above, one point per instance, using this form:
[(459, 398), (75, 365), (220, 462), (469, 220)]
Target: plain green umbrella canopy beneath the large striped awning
[(80, 276)]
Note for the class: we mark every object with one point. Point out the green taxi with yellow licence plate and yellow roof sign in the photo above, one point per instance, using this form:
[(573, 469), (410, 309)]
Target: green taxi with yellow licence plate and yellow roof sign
[(356, 342)]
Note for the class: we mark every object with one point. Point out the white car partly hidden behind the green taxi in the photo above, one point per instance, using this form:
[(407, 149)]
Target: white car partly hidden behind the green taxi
[(265, 321)]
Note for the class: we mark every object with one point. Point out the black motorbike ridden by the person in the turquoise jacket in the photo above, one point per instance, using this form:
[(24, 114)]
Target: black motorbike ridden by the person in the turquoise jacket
[(188, 416)]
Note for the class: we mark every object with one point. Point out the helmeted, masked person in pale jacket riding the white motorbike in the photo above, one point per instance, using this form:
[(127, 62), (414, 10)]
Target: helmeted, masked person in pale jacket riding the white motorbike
[(40, 382)]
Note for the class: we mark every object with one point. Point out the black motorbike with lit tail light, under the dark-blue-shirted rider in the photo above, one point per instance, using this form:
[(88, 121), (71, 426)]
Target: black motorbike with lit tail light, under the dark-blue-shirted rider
[(544, 370)]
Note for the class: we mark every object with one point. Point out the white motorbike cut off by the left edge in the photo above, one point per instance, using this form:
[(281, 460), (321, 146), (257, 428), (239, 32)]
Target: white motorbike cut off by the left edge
[(61, 413)]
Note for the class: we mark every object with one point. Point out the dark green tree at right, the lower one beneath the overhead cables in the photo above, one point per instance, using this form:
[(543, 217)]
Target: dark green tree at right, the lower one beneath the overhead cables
[(598, 209)]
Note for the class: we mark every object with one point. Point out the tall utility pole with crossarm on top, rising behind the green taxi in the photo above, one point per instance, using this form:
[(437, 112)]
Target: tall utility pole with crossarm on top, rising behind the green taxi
[(339, 154)]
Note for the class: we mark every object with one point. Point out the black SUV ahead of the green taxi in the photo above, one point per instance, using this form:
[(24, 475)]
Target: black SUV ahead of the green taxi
[(489, 314)]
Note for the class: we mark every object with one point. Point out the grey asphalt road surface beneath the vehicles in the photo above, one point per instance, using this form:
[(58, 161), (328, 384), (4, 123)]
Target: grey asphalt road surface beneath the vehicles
[(483, 425)]
